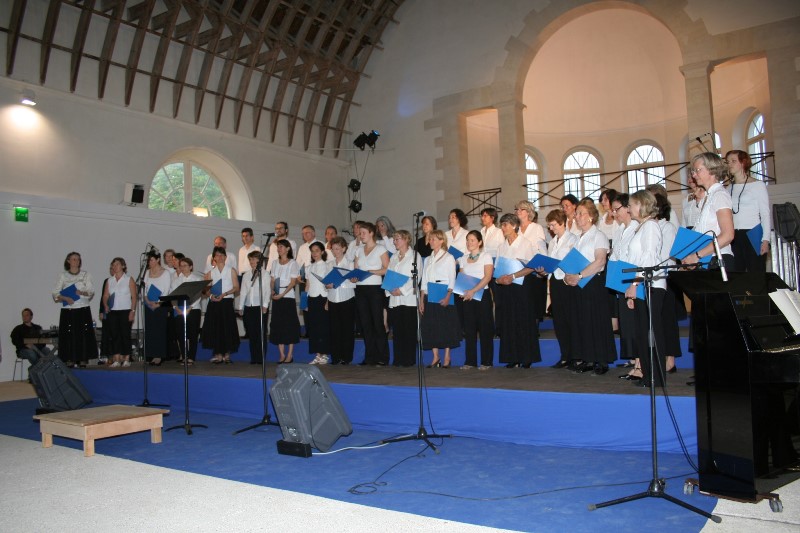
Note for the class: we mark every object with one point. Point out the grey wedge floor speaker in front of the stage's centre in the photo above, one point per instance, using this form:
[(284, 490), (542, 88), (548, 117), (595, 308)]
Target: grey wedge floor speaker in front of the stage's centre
[(308, 411)]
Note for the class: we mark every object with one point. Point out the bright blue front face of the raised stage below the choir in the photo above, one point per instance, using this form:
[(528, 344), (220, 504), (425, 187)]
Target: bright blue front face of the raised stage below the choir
[(596, 421)]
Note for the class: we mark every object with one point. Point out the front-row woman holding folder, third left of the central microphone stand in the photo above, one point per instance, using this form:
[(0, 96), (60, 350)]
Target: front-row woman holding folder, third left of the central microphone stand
[(341, 306)]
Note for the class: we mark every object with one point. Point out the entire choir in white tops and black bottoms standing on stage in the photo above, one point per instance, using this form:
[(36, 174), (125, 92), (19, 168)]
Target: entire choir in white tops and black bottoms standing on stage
[(472, 285)]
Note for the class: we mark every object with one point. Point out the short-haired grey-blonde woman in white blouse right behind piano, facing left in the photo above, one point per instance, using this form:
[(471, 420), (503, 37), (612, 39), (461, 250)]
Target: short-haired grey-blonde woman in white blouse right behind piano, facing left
[(716, 214)]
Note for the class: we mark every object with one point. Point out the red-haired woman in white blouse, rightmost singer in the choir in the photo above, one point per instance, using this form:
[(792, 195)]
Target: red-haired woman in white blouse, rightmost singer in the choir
[(750, 207)]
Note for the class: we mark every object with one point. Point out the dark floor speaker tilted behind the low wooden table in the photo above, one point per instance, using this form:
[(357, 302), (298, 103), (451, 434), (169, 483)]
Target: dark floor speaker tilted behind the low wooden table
[(56, 386)]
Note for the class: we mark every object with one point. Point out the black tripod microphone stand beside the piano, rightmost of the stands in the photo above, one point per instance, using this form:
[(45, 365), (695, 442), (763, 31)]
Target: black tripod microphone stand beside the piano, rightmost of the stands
[(657, 486)]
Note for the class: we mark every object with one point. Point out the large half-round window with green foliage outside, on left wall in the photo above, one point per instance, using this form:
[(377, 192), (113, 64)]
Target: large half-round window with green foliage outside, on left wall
[(186, 187)]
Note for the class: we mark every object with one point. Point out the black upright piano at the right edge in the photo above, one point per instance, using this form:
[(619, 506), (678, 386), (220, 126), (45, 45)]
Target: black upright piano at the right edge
[(747, 372)]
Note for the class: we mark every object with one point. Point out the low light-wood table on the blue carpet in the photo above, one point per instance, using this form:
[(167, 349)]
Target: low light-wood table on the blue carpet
[(100, 422)]
